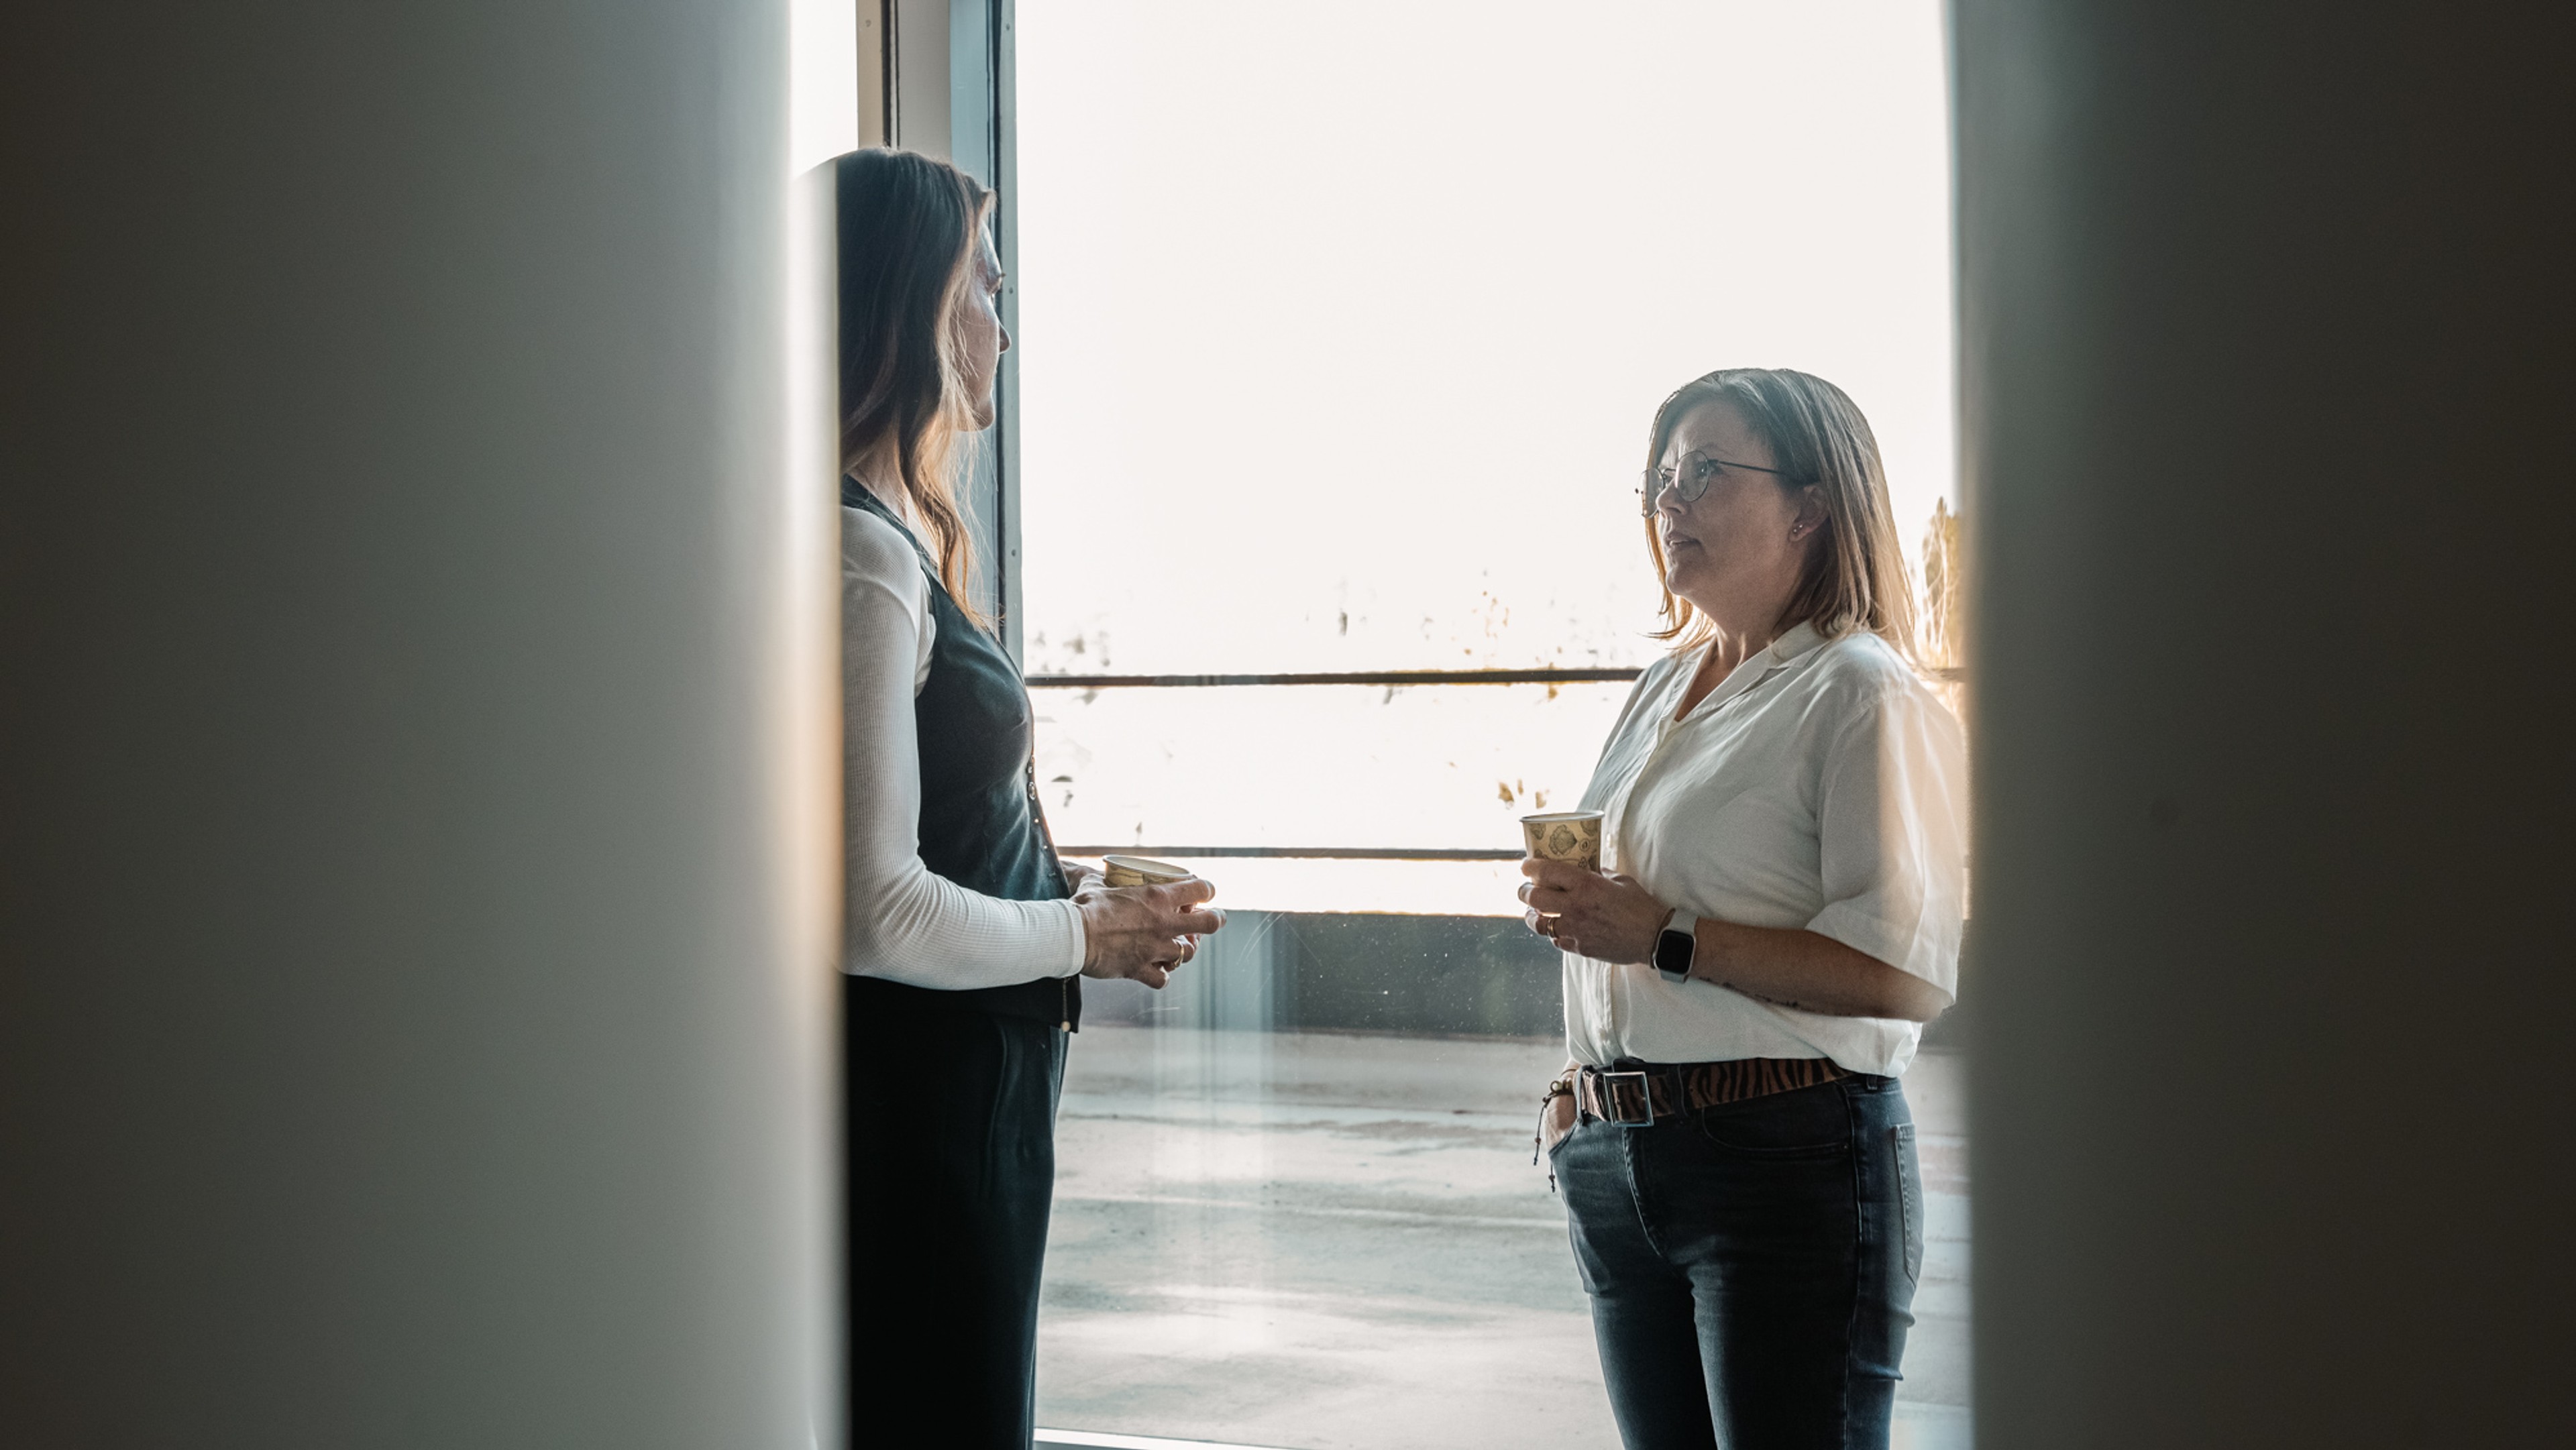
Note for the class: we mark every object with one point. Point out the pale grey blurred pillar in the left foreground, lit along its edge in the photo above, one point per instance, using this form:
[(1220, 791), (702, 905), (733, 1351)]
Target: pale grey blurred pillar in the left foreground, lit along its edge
[(419, 828)]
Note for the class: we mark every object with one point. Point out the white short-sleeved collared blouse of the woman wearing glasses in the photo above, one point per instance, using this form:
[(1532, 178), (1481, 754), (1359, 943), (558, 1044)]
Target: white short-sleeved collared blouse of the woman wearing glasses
[(1823, 787)]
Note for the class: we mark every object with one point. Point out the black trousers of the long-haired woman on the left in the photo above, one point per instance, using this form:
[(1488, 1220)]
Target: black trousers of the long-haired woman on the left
[(952, 1163)]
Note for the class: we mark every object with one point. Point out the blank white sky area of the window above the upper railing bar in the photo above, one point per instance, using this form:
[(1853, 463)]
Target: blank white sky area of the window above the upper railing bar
[(1341, 321)]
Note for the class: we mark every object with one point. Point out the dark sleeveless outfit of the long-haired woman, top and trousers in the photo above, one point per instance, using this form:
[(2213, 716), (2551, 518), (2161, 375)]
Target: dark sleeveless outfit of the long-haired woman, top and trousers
[(952, 1096)]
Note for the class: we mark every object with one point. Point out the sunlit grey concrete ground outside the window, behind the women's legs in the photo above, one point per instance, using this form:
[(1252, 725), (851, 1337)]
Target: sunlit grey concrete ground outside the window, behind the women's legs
[(1331, 1243)]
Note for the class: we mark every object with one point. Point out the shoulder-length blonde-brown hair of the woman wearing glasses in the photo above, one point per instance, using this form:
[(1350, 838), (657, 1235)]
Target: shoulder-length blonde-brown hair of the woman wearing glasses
[(1856, 576)]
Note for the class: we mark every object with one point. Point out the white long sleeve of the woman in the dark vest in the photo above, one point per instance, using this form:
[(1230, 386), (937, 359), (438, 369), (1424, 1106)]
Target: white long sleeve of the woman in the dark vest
[(900, 918)]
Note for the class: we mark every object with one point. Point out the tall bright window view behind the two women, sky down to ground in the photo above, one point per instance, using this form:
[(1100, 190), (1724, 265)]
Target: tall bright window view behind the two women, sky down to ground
[(1341, 328)]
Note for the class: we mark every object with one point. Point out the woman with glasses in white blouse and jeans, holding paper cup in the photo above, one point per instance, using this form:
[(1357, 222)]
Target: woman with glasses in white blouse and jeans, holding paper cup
[(1779, 916)]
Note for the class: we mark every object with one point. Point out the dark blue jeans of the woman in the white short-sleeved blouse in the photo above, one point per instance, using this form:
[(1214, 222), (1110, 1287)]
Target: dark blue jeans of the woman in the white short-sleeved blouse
[(1753, 1266)]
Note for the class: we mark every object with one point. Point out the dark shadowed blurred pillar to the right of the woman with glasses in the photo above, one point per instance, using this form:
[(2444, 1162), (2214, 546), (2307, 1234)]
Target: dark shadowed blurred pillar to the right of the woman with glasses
[(2266, 372)]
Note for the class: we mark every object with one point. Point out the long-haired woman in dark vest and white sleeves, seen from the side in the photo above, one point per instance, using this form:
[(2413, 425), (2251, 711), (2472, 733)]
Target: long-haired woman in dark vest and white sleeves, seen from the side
[(965, 936)]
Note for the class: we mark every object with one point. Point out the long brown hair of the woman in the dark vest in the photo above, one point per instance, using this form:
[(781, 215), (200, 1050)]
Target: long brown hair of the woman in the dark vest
[(908, 238)]
